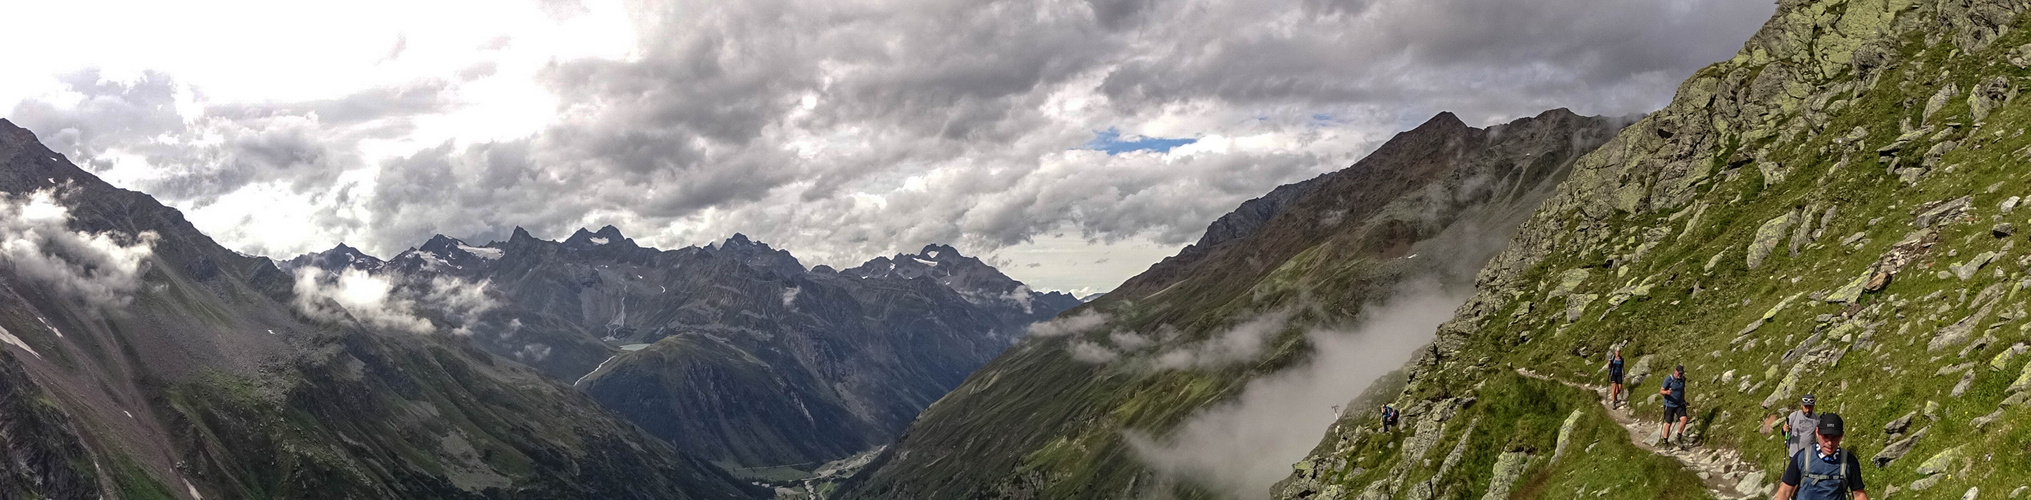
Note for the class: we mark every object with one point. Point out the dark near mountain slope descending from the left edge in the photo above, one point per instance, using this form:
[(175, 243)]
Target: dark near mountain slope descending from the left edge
[(143, 361)]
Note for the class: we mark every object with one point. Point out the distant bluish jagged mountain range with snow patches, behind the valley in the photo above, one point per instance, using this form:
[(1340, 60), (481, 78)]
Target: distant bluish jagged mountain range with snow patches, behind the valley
[(734, 351)]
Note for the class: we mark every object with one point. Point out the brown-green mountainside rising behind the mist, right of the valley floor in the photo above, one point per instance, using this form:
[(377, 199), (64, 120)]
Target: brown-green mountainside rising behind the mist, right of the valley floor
[(1084, 405)]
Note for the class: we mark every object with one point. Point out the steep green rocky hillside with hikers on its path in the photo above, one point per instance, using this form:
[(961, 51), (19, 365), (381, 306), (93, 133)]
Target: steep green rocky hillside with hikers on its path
[(1835, 212)]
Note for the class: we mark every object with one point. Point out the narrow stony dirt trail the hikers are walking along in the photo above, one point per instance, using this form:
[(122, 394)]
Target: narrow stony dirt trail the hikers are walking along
[(1723, 471)]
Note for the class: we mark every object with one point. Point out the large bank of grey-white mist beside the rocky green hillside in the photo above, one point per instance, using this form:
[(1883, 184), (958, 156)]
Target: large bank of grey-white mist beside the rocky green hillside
[(1246, 446)]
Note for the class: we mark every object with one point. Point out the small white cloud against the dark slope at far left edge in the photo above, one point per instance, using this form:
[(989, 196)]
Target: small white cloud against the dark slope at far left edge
[(99, 267)]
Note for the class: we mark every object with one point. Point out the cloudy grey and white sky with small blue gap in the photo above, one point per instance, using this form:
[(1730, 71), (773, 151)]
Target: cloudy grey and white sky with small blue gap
[(1071, 141)]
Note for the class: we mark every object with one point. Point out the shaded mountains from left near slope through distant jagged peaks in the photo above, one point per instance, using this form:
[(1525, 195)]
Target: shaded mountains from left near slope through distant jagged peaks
[(147, 361)]
